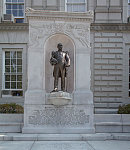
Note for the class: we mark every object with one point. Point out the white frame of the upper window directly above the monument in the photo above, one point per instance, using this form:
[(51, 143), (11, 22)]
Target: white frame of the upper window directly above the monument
[(76, 3)]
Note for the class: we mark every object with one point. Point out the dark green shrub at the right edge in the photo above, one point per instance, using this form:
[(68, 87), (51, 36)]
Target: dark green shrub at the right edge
[(125, 109)]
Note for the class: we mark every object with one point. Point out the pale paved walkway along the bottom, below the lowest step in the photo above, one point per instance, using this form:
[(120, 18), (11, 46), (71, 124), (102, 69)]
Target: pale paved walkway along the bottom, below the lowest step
[(65, 145)]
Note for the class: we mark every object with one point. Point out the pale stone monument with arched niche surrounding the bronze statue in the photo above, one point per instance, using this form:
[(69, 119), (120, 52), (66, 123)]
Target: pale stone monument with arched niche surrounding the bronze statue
[(58, 112)]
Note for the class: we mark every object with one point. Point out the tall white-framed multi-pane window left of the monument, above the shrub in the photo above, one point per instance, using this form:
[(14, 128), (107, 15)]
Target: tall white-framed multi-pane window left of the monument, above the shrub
[(12, 72)]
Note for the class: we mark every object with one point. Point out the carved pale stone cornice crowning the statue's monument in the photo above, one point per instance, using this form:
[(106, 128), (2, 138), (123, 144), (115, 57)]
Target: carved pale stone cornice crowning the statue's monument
[(59, 15)]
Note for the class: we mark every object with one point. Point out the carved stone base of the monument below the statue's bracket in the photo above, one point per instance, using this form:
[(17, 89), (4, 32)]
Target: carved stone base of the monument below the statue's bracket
[(63, 119)]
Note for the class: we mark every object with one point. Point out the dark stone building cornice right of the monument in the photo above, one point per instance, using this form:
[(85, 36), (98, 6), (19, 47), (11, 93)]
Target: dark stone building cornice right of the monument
[(122, 27)]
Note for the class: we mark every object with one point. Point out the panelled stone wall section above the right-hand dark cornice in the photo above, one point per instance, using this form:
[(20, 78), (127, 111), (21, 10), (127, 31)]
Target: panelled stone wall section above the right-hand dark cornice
[(109, 11)]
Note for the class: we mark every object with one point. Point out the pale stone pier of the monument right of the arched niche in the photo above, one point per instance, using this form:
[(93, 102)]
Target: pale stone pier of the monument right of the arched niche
[(82, 69)]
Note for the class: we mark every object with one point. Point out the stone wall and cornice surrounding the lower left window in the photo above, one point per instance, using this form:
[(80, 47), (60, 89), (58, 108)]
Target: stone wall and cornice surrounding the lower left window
[(13, 36)]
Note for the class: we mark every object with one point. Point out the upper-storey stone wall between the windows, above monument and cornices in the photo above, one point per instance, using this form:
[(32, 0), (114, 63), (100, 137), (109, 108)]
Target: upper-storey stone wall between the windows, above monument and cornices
[(106, 11)]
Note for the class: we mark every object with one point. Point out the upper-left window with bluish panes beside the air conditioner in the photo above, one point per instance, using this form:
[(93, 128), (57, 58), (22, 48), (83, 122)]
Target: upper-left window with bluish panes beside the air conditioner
[(15, 7)]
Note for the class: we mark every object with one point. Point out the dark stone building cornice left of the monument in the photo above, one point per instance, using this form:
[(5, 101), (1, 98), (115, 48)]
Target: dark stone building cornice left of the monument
[(14, 26)]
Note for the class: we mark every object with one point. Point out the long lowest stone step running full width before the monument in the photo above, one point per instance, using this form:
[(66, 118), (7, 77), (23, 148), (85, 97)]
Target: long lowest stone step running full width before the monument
[(63, 137)]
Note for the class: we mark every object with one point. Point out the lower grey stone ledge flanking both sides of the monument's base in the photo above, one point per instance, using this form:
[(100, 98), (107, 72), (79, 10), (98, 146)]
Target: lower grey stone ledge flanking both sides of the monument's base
[(100, 127)]
